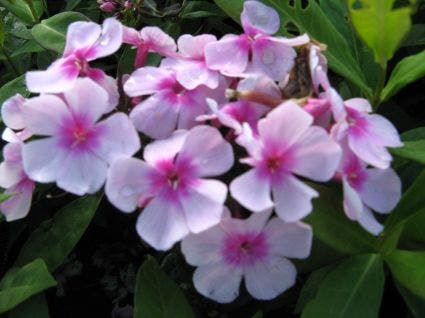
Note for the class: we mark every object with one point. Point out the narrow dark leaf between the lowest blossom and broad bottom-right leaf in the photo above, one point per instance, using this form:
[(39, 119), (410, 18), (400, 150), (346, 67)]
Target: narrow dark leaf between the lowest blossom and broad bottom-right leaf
[(311, 286)]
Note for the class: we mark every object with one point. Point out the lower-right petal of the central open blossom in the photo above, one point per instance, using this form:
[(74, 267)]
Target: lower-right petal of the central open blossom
[(203, 205)]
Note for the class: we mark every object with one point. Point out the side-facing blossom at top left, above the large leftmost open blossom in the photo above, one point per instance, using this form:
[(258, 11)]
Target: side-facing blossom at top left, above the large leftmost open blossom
[(85, 42)]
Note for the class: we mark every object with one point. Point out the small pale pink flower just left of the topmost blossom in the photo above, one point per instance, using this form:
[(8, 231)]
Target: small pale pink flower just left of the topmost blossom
[(190, 66)]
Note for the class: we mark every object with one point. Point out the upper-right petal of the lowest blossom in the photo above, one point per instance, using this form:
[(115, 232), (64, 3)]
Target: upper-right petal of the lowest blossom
[(289, 239)]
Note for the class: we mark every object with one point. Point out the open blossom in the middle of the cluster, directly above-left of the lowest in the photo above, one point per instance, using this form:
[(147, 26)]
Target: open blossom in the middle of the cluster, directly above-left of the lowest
[(170, 185)]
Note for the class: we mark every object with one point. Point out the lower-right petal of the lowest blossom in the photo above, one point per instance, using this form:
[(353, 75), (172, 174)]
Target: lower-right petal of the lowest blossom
[(267, 279)]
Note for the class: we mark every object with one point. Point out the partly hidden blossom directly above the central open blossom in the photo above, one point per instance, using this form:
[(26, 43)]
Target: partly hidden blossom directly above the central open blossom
[(171, 105)]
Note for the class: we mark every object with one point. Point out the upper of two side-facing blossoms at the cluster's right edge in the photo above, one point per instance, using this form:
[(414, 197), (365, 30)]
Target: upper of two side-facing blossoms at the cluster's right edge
[(367, 135)]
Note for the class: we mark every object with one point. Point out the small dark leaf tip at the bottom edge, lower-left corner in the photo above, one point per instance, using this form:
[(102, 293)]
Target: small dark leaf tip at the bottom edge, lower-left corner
[(36, 306)]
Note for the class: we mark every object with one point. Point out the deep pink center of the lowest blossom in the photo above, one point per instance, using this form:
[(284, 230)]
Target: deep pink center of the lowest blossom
[(245, 249)]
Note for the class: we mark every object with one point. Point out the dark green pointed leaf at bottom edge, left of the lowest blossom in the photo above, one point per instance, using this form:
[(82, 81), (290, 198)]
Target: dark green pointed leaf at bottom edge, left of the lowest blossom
[(156, 295)]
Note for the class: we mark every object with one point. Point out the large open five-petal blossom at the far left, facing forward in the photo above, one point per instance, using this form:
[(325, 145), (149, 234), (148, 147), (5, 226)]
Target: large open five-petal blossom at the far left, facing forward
[(78, 148)]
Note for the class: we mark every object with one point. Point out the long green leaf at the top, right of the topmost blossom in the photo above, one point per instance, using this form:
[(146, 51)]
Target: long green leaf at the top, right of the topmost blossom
[(314, 21)]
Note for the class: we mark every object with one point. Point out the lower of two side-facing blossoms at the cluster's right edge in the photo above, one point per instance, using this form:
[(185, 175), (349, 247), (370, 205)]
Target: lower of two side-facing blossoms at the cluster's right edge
[(366, 189)]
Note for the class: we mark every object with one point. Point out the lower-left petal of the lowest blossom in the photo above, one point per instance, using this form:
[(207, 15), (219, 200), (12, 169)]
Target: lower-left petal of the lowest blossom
[(218, 282)]
